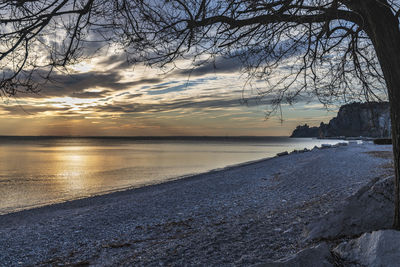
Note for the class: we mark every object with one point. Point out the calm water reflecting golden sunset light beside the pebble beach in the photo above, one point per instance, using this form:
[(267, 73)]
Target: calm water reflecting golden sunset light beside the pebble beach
[(39, 171)]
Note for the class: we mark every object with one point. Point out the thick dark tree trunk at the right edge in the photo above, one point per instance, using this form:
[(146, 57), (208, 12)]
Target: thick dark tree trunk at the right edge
[(383, 28)]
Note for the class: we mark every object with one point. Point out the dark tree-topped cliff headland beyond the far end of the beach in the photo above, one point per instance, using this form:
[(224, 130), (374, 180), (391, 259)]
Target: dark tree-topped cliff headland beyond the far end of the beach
[(356, 119)]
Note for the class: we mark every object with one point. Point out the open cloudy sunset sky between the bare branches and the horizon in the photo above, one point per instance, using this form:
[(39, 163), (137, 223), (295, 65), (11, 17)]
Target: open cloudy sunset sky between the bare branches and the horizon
[(105, 96)]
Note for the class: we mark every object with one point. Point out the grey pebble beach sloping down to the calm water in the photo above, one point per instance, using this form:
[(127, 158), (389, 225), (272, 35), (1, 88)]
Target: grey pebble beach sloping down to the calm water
[(243, 215)]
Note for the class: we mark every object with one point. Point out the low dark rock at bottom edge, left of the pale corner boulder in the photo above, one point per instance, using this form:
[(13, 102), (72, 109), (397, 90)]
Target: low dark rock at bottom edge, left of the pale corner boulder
[(318, 256)]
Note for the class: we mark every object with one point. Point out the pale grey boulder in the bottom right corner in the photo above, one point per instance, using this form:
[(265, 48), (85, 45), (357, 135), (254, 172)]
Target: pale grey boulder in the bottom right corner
[(376, 249)]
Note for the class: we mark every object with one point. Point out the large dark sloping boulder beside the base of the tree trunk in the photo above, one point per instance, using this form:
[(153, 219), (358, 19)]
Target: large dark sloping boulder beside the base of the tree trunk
[(370, 209)]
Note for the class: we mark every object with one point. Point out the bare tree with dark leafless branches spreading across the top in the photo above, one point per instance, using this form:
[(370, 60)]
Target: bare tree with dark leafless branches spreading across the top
[(331, 49)]
